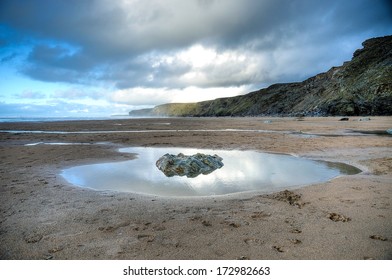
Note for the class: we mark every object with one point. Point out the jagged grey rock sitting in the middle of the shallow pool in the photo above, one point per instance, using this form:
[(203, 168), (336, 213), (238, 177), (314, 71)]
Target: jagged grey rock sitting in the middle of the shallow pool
[(189, 166)]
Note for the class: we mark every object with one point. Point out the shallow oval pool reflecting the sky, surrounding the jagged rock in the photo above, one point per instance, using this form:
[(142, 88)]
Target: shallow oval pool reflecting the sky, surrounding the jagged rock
[(243, 171)]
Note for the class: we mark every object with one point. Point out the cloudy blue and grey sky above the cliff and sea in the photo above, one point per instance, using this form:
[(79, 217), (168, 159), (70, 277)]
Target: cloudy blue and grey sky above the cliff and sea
[(90, 58)]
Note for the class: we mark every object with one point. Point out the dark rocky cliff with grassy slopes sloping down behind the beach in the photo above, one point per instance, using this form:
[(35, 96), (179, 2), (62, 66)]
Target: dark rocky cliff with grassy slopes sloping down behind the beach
[(362, 86)]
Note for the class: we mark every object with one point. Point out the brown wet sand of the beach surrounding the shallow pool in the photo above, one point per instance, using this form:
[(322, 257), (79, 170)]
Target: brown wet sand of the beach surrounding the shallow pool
[(44, 217)]
